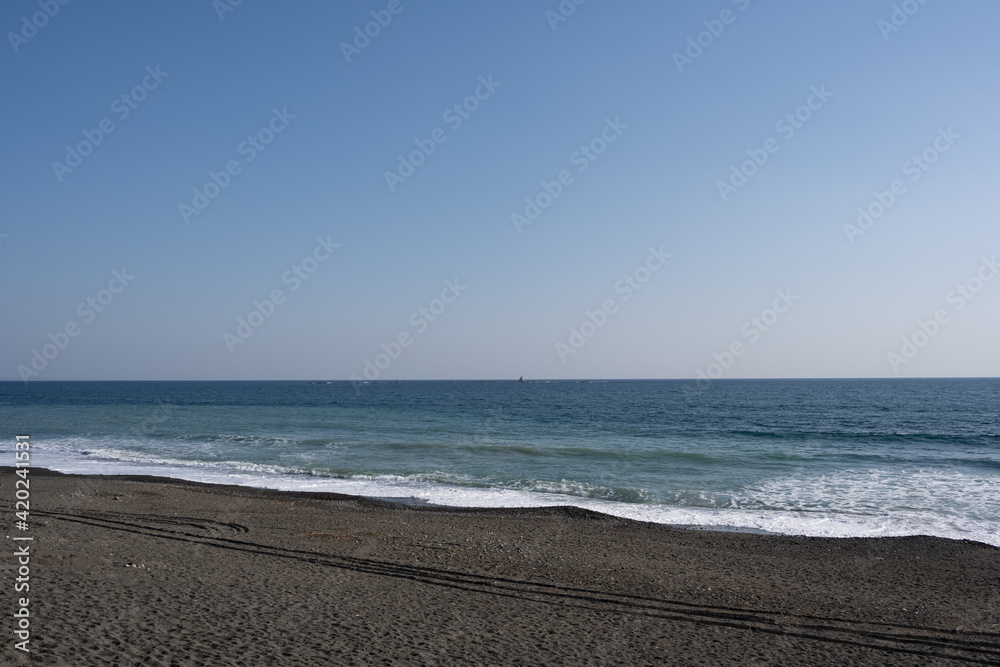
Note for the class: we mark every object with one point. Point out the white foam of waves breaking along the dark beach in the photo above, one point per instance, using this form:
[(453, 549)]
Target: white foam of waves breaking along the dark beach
[(868, 504)]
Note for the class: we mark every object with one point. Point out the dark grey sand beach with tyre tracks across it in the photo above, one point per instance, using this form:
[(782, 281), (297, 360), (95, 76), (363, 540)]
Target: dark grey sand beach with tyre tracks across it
[(130, 570)]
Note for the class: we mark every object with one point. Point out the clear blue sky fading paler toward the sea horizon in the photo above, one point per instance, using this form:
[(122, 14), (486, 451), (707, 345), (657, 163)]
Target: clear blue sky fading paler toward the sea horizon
[(697, 168)]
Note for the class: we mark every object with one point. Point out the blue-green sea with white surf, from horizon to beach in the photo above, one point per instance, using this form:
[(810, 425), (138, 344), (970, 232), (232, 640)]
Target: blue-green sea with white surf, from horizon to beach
[(807, 457)]
